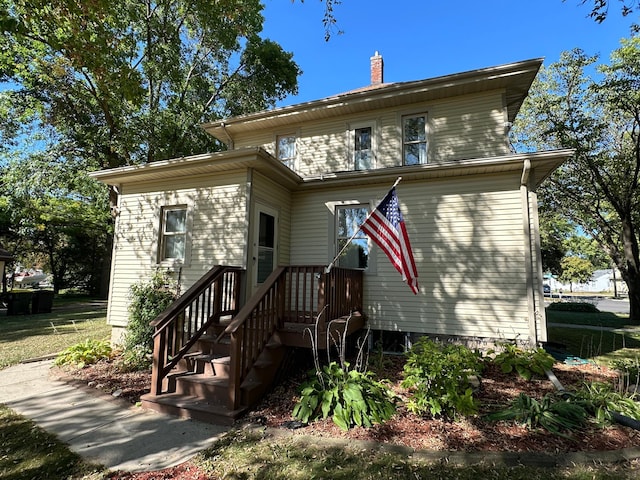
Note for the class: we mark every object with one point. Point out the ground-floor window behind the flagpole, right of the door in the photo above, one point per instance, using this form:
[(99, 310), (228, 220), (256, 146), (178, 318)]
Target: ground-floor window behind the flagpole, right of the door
[(356, 252)]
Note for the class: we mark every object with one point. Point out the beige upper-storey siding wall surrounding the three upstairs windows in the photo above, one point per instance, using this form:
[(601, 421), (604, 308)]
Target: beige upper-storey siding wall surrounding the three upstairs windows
[(470, 126)]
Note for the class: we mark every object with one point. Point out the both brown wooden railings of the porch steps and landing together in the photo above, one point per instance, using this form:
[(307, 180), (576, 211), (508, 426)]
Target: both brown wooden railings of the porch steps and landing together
[(294, 294)]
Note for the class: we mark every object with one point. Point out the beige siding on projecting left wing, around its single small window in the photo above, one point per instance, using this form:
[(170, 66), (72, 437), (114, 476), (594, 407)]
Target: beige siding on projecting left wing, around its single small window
[(216, 211)]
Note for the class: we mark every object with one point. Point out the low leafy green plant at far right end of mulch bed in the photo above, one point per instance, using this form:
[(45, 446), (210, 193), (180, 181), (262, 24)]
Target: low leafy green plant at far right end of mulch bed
[(600, 399)]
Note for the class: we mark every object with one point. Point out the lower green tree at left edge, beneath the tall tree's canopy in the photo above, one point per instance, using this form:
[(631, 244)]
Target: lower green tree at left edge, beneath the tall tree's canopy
[(57, 217)]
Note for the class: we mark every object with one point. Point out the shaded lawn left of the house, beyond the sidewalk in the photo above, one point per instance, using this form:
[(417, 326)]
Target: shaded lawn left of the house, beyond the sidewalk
[(23, 337)]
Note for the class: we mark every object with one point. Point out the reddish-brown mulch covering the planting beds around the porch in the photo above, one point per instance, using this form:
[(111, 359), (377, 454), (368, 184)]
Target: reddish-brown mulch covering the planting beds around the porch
[(467, 434)]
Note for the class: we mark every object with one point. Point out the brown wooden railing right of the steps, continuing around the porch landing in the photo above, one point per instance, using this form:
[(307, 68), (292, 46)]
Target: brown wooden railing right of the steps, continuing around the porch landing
[(292, 294)]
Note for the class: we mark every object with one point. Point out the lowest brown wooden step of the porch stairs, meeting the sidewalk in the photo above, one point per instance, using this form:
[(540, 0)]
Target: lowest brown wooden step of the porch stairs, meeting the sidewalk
[(191, 407)]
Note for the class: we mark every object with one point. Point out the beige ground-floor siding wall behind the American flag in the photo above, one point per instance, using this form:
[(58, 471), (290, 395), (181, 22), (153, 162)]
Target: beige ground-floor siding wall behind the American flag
[(469, 251)]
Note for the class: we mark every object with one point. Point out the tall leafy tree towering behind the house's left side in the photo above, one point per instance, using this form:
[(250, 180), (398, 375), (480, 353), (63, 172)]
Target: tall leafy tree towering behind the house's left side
[(110, 83)]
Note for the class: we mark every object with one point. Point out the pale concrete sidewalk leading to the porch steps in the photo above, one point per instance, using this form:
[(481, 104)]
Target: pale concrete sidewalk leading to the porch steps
[(102, 430)]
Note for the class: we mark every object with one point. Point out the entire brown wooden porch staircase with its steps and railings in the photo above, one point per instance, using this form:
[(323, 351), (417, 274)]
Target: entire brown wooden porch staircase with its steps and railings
[(212, 361)]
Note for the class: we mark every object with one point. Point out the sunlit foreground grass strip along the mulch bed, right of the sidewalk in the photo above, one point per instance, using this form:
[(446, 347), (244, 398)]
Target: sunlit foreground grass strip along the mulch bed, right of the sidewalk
[(251, 455)]
